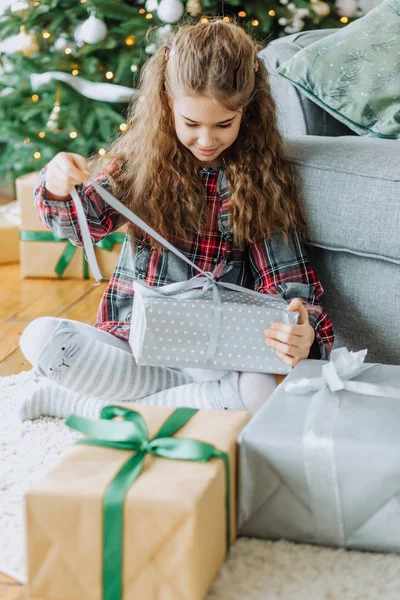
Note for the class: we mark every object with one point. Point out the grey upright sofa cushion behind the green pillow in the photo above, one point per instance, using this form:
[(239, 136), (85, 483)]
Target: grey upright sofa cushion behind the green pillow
[(297, 114)]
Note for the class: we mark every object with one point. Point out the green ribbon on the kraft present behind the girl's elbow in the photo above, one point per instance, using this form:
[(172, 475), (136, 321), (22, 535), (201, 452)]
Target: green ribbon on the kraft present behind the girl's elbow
[(106, 243)]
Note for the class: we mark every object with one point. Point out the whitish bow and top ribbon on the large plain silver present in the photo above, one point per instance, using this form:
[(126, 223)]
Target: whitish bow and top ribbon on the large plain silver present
[(342, 366)]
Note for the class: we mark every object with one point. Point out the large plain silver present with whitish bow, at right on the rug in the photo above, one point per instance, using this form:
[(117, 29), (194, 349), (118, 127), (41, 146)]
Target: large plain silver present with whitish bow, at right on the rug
[(320, 461)]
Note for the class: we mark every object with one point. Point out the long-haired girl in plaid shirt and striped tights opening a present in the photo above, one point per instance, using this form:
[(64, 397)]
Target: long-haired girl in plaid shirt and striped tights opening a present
[(202, 162)]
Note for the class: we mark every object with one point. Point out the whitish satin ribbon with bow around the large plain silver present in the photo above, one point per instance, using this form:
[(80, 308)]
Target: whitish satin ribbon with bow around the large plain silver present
[(317, 439)]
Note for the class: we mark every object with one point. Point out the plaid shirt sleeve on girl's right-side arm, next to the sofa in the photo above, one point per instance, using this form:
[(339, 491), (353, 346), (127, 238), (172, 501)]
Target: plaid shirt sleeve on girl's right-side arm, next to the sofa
[(285, 270)]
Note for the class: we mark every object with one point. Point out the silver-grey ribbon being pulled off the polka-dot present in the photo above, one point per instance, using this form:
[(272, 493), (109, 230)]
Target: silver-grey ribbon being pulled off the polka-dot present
[(192, 288)]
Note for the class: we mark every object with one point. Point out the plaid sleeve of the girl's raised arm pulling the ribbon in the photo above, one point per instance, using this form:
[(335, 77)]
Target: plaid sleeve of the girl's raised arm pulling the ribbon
[(61, 217)]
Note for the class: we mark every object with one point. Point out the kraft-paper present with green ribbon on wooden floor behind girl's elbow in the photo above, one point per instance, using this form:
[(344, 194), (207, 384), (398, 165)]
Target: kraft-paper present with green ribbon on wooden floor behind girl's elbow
[(44, 254)]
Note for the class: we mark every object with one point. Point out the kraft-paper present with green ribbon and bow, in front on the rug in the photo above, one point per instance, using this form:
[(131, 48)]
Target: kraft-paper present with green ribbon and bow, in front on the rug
[(115, 520)]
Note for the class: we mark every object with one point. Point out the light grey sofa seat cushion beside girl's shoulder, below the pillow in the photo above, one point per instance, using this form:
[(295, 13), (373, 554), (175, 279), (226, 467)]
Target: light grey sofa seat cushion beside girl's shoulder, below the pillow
[(350, 192)]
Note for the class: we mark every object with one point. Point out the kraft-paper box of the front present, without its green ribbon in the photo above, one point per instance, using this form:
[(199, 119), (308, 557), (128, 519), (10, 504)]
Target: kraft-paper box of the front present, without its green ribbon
[(174, 517)]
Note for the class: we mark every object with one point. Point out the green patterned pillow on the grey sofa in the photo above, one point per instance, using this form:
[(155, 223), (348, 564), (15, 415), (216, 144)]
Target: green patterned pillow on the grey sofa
[(354, 73)]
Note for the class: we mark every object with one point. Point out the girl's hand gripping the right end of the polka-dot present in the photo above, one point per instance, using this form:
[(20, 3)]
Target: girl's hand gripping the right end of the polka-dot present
[(292, 342)]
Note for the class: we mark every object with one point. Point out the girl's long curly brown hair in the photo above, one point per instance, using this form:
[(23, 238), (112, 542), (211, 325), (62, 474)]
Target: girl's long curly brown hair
[(157, 177)]
